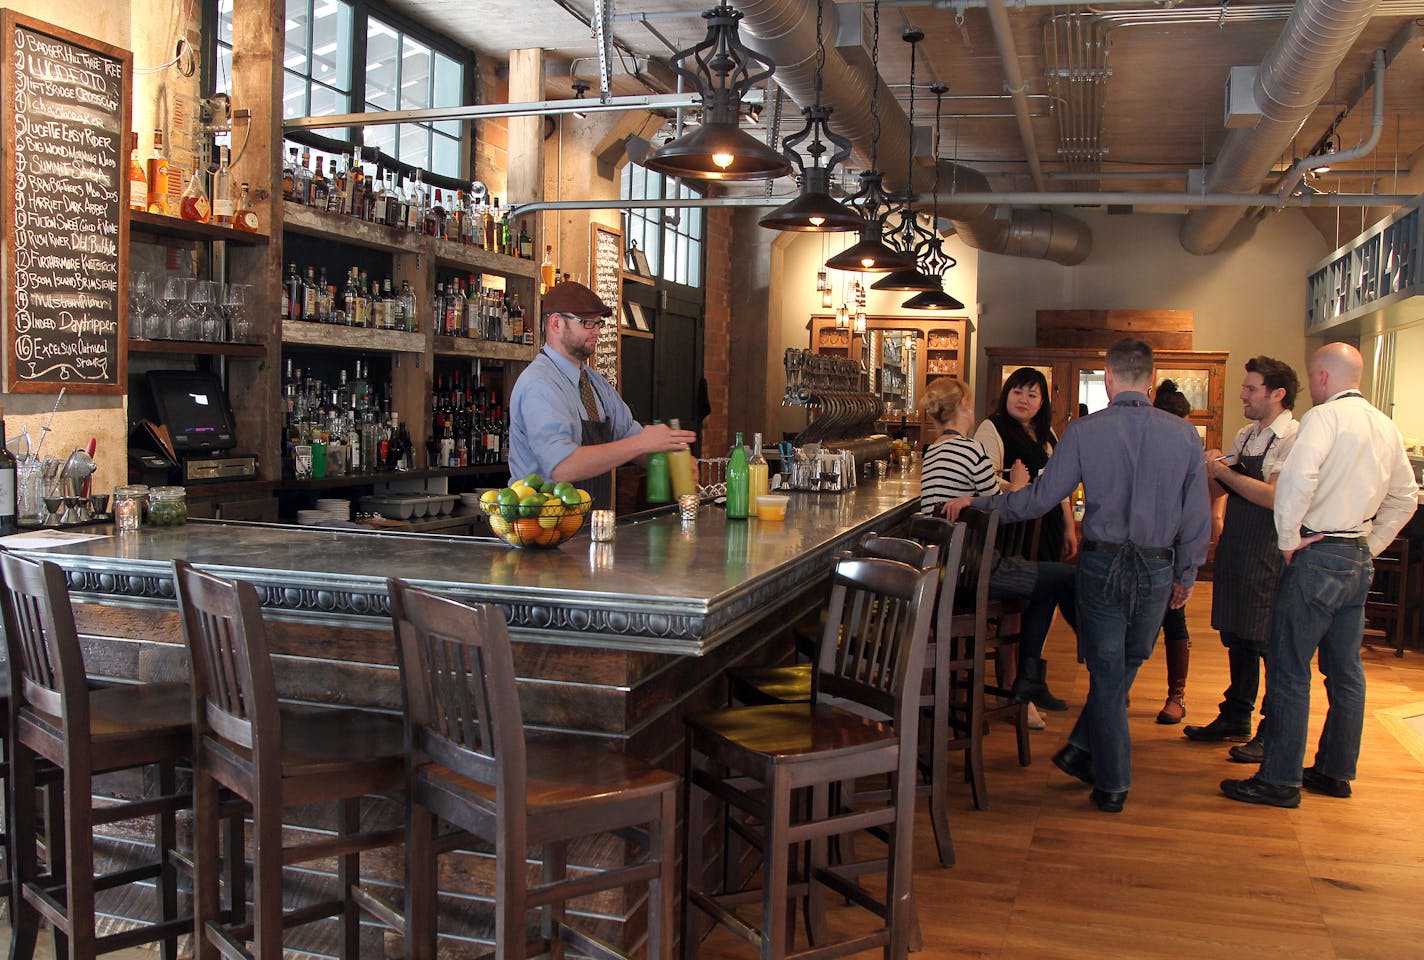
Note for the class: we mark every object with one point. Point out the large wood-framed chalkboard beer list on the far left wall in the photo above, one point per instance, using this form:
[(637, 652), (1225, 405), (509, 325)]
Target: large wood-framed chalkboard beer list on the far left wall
[(65, 105)]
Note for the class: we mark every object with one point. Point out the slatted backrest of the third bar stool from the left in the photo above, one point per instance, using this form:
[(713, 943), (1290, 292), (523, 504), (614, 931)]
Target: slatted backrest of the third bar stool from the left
[(458, 674)]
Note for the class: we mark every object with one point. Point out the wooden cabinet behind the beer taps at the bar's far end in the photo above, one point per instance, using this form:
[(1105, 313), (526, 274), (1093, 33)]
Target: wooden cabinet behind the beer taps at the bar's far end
[(901, 355)]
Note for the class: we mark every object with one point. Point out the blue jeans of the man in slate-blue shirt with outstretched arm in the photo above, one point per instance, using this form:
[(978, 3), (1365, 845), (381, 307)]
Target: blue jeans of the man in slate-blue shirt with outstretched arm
[(1120, 613)]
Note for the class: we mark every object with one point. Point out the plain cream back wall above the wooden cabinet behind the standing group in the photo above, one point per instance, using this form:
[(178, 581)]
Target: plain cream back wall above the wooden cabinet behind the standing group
[(1248, 301)]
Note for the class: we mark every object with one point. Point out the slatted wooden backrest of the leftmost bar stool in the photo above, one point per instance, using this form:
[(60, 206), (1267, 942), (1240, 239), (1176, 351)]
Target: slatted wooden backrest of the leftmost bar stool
[(42, 642)]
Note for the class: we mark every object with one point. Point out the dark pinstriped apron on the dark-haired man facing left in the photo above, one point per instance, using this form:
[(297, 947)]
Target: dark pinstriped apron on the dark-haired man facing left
[(1248, 563)]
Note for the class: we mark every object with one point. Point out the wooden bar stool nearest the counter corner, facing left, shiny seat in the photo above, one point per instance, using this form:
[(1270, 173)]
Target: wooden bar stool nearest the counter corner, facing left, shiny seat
[(778, 767)]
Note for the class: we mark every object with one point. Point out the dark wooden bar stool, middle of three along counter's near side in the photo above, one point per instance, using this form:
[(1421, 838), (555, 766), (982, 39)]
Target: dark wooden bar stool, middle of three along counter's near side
[(273, 757)]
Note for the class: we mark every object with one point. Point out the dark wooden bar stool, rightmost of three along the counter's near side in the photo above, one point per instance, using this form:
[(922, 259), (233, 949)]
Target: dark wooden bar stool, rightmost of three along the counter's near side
[(469, 767)]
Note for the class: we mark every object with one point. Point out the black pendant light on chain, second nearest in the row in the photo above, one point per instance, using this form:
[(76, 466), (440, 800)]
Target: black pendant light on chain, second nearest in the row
[(815, 210)]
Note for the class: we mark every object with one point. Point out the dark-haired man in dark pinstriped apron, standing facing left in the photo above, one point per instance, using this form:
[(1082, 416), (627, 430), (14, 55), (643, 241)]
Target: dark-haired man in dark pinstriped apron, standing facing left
[(1248, 563)]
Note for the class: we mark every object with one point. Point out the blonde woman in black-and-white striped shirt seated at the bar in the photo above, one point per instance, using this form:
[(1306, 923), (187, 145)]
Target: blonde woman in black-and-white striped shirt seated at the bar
[(958, 466)]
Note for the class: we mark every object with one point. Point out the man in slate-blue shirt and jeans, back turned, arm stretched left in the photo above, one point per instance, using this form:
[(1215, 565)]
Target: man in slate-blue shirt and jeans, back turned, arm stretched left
[(1146, 531)]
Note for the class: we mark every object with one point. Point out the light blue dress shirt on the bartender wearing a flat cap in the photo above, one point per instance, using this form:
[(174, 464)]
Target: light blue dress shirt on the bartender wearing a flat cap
[(546, 414)]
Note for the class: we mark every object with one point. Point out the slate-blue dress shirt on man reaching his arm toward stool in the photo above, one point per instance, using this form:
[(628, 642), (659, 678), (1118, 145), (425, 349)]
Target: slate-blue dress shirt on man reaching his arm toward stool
[(1144, 481)]
